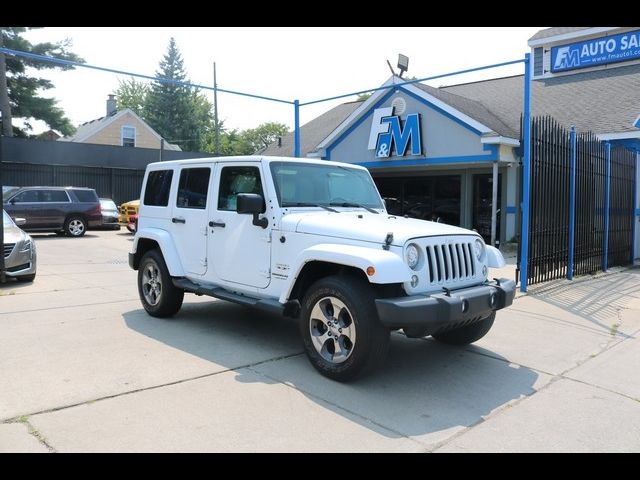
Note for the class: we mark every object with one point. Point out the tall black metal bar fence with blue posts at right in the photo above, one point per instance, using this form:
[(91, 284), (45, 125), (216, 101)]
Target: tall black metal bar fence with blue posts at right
[(581, 203)]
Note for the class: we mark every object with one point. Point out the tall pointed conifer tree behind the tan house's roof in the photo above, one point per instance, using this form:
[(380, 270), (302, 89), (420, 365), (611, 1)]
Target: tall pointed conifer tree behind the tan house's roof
[(178, 113)]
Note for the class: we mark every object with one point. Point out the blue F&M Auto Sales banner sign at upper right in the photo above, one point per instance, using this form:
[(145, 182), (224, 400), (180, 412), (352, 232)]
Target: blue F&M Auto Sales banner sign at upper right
[(597, 51)]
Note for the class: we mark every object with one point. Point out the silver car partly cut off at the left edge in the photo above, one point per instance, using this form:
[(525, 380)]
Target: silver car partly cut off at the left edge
[(19, 250)]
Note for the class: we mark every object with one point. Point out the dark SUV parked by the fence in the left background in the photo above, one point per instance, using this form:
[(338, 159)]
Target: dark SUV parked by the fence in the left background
[(69, 210)]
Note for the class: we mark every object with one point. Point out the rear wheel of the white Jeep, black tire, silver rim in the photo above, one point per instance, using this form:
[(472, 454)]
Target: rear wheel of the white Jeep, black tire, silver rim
[(159, 296)]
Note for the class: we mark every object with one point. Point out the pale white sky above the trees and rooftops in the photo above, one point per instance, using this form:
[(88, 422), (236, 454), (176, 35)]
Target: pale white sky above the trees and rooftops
[(288, 63)]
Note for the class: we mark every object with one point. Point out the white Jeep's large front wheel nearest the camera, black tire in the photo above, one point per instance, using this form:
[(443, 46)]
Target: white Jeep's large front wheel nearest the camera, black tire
[(358, 318)]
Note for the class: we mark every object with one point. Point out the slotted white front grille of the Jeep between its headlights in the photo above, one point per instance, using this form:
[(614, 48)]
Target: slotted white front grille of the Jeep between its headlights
[(450, 262)]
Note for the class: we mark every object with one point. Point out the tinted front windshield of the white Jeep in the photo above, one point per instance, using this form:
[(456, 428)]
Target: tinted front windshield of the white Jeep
[(305, 184)]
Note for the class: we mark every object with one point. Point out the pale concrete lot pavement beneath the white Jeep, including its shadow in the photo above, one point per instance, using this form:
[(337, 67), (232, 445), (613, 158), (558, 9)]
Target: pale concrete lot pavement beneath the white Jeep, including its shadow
[(83, 368)]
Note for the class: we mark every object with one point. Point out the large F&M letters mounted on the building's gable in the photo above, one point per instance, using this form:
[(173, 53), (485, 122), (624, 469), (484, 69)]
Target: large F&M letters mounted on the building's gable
[(388, 134)]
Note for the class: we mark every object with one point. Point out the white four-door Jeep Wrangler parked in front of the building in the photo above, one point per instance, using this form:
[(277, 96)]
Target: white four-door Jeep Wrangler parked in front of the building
[(311, 240)]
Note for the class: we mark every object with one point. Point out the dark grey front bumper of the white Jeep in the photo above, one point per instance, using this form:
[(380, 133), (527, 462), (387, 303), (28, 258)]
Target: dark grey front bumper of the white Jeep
[(428, 314)]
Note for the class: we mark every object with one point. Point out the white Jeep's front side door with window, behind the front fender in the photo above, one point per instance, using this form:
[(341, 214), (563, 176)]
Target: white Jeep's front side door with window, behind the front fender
[(239, 252)]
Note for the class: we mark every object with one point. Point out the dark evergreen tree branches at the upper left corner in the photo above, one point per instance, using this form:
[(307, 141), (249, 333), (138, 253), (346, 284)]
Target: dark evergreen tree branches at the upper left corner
[(19, 92)]
